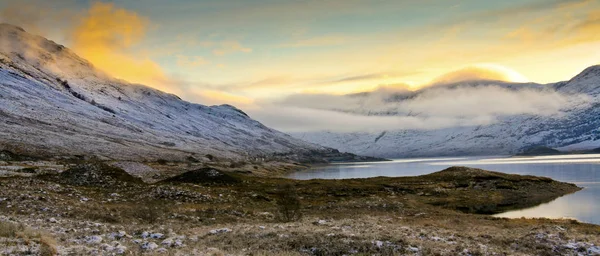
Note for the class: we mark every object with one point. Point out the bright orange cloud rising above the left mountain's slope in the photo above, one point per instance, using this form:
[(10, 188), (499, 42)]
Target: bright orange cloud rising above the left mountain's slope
[(105, 35)]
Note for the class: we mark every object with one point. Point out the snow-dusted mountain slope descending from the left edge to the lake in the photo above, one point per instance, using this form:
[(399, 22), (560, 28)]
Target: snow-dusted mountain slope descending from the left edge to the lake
[(54, 103)]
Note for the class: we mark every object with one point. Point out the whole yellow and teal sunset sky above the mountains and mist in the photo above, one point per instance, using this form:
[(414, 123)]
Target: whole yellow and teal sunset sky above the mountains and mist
[(252, 53)]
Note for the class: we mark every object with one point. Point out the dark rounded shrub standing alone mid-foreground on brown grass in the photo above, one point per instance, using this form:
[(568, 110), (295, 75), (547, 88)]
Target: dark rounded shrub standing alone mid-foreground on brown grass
[(288, 204)]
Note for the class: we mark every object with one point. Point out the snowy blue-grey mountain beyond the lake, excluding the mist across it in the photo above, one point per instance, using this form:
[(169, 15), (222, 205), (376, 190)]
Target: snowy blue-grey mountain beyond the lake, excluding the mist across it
[(576, 127)]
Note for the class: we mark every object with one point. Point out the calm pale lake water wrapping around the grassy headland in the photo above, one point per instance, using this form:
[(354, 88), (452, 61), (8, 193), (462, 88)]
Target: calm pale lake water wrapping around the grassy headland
[(583, 170)]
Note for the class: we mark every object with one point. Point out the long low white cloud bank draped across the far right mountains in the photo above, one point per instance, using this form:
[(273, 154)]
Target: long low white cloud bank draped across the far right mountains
[(395, 107)]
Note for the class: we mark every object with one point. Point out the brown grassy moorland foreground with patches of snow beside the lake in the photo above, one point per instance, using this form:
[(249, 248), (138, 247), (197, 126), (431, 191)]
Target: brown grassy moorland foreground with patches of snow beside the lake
[(97, 209)]
